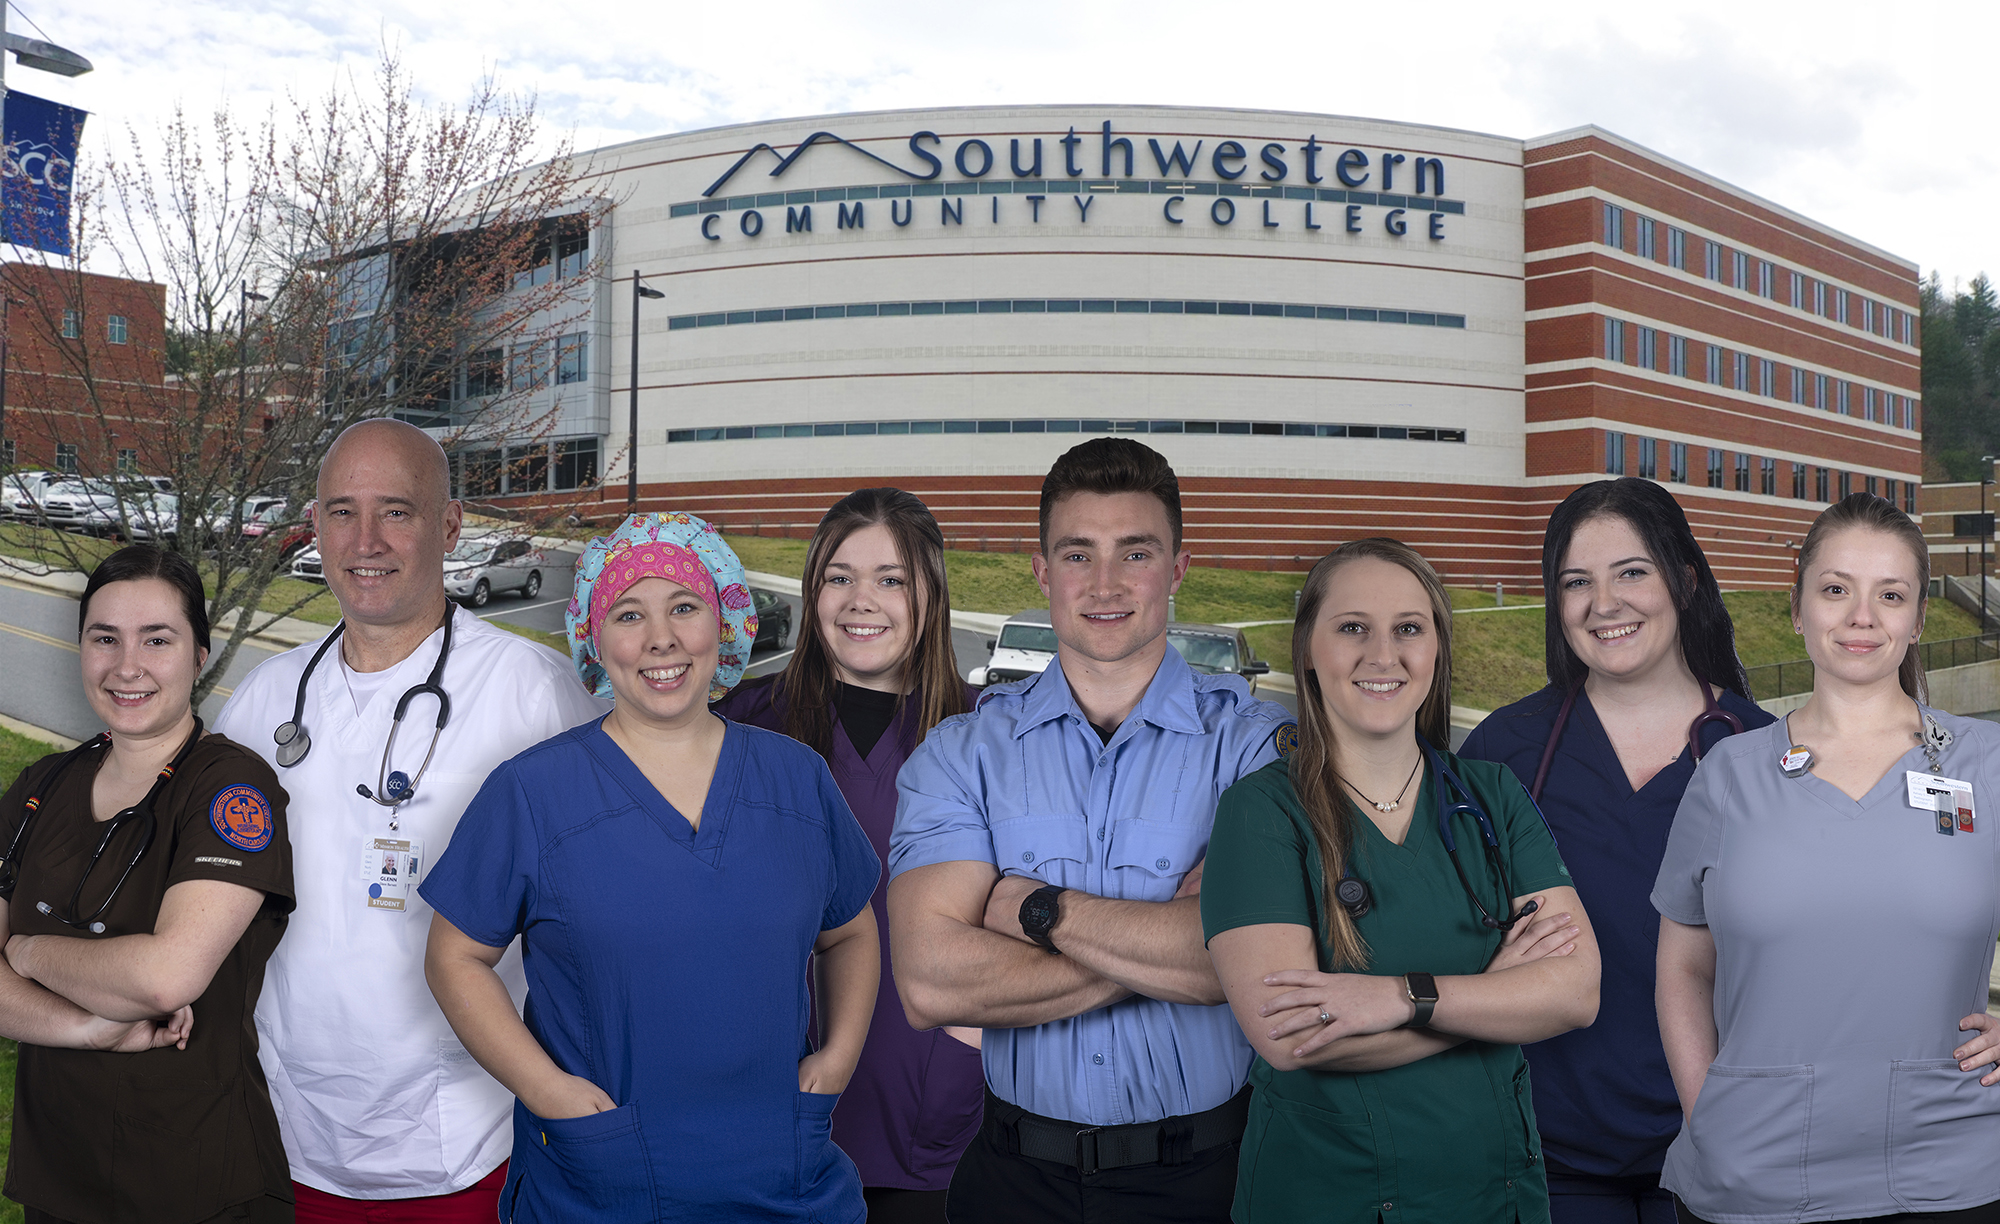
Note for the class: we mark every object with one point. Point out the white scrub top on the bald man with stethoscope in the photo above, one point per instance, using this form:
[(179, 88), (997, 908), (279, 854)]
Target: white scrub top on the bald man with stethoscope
[(375, 1095)]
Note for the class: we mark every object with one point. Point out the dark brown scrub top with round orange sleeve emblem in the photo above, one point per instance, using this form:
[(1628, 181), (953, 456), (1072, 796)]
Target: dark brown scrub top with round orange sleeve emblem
[(165, 1137)]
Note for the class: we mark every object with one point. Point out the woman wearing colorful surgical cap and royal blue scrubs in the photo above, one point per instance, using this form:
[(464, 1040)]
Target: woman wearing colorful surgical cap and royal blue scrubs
[(671, 877)]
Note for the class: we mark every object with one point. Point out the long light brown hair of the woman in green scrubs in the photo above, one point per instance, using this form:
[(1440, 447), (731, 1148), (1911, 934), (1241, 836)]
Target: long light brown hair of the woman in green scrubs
[(1315, 777)]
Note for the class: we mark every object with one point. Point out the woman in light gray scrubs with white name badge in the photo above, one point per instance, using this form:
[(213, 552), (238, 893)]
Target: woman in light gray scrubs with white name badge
[(1829, 919)]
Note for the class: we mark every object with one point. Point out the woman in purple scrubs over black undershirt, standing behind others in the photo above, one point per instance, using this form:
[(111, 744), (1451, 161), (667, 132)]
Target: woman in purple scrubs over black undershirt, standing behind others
[(871, 677)]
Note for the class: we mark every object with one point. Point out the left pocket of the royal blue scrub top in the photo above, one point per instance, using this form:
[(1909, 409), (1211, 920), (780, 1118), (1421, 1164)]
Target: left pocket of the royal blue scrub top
[(583, 1169)]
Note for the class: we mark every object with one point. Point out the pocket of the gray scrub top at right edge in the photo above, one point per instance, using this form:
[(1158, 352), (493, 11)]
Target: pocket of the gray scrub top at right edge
[(1943, 1135)]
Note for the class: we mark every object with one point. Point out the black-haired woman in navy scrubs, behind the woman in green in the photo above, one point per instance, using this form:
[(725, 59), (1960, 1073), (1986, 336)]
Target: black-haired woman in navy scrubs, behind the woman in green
[(1641, 667)]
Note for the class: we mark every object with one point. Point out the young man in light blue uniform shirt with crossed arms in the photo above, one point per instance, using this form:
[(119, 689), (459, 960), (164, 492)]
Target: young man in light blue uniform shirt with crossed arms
[(1047, 873)]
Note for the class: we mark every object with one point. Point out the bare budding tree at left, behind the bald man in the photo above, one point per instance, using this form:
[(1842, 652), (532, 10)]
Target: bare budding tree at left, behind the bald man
[(357, 255)]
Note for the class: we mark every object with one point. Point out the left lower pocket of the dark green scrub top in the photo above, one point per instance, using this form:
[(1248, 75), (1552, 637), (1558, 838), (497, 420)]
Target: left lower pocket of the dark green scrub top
[(1305, 1163)]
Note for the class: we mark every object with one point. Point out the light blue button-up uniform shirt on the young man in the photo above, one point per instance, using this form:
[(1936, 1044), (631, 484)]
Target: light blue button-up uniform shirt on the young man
[(1027, 785)]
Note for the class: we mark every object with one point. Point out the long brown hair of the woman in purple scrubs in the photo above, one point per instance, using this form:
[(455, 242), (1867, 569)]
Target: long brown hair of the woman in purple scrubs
[(931, 671)]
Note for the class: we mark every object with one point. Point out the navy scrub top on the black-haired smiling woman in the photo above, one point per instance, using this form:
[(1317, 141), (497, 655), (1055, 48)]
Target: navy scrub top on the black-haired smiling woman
[(1603, 1095)]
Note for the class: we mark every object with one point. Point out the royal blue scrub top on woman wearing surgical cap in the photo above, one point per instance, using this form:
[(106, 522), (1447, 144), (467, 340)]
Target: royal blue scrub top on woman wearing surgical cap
[(667, 965)]
